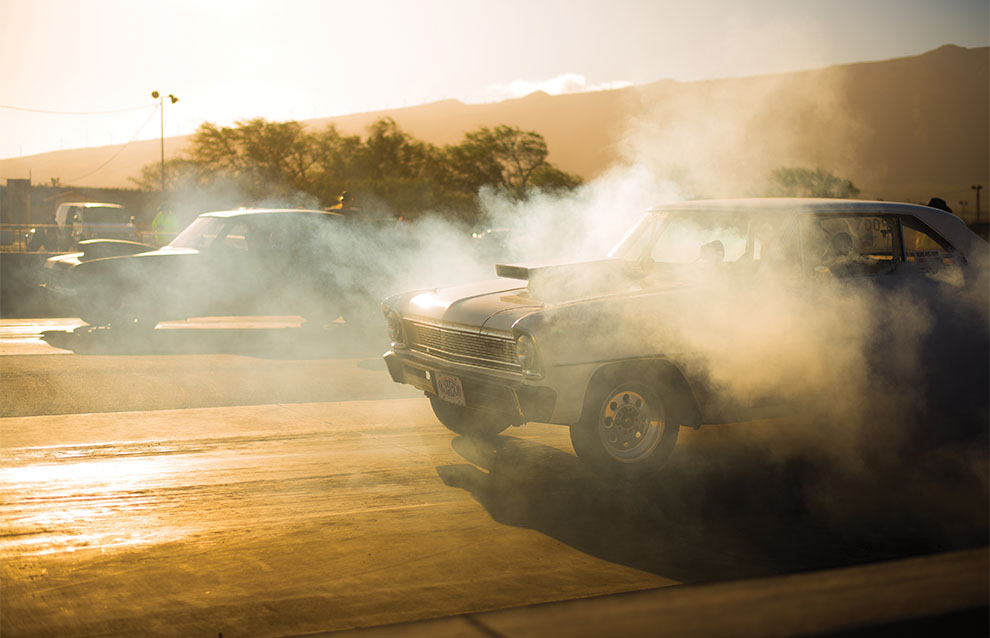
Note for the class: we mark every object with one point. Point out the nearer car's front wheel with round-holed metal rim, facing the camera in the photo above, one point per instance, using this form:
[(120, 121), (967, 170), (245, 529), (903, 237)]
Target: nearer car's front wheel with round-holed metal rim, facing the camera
[(625, 427)]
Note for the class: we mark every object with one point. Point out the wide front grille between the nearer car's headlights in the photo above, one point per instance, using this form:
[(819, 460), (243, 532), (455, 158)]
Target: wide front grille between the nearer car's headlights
[(486, 351)]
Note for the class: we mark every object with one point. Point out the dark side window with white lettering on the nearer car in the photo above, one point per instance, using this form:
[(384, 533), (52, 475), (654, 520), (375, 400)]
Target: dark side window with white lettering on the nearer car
[(850, 246)]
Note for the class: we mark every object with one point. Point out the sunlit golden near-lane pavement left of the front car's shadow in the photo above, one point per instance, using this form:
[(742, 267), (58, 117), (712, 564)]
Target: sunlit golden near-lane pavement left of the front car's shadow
[(267, 520)]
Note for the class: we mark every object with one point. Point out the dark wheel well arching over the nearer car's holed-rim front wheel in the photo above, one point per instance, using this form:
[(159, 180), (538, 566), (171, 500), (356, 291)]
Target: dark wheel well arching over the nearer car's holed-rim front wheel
[(663, 375)]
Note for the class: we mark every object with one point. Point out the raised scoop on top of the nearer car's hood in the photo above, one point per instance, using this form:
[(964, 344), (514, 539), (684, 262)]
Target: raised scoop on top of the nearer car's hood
[(575, 280)]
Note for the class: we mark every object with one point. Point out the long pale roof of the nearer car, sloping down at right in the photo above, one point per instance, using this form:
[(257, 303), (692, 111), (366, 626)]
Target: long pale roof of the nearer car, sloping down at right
[(944, 223)]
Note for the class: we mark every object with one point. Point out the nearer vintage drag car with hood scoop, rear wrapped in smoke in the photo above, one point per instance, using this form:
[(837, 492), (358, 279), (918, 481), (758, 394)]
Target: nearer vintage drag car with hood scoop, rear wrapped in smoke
[(686, 309)]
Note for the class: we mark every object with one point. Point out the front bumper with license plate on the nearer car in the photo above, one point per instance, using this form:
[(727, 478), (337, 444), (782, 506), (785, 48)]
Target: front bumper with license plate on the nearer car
[(520, 401)]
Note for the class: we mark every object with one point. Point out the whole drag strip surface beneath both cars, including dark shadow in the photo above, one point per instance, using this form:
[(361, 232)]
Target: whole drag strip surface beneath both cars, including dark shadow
[(263, 478)]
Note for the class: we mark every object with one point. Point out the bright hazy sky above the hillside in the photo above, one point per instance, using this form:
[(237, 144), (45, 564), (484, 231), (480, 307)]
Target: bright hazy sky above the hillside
[(302, 59)]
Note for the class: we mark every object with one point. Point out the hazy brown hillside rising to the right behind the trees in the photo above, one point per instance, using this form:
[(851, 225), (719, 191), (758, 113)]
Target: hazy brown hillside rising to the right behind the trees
[(905, 129)]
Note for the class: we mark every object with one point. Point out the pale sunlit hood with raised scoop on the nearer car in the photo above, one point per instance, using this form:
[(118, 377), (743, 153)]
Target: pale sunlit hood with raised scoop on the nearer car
[(498, 304)]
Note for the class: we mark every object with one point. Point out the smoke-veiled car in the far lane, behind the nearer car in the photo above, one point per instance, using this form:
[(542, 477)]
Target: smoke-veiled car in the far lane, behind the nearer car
[(238, 262)]
